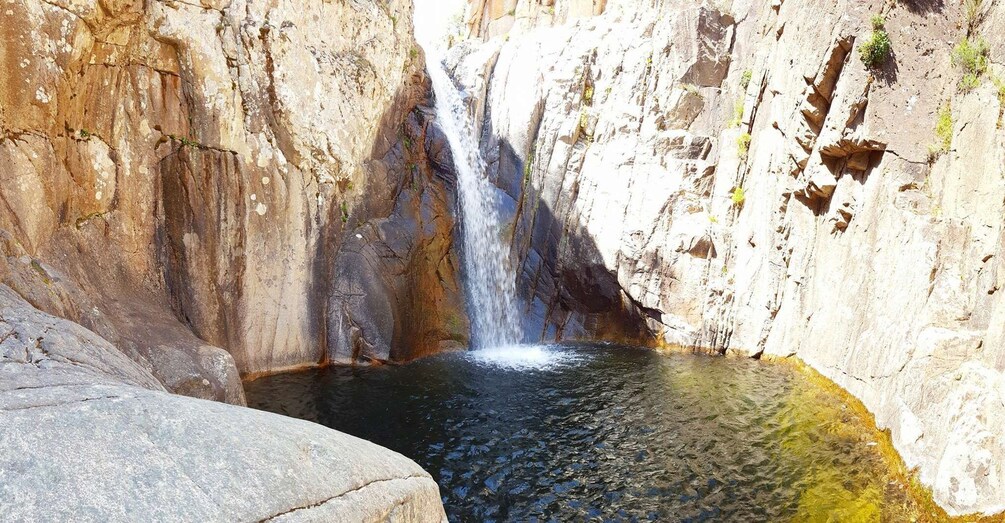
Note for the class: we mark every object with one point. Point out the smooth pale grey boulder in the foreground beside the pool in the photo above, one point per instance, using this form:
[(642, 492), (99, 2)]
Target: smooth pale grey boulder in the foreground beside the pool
[(89, 435)]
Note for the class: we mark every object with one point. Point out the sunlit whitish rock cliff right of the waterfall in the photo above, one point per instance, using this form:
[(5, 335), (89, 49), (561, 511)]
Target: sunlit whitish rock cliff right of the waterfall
[(732, 179)]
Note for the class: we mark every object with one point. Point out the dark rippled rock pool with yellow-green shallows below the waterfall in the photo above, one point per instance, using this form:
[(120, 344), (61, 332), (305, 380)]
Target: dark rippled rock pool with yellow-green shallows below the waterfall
[(606, 433)]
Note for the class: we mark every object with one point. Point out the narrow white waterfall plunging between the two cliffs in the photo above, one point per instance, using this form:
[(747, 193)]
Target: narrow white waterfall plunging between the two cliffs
[(490, 283)]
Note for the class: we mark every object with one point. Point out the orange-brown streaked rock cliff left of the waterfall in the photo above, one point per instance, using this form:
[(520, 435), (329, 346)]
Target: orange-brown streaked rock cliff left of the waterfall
[(190, 181)]
